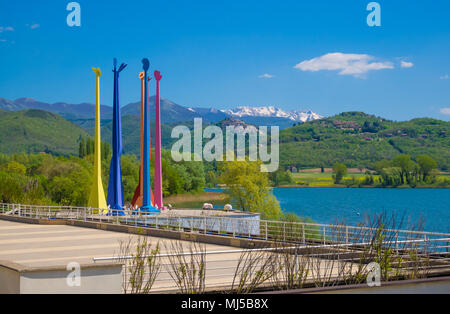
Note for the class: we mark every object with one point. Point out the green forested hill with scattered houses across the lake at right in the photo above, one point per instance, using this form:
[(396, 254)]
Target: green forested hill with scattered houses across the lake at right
[(358, 140)]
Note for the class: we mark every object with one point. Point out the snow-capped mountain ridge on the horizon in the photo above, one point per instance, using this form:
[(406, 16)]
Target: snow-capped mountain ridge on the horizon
[(273, 112)]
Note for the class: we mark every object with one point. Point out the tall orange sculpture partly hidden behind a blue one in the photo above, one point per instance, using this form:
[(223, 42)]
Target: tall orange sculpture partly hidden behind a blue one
[(138, 193)]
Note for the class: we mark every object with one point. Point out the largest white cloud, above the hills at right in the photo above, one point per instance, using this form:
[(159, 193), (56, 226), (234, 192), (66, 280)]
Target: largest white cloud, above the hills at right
[(346, 63)]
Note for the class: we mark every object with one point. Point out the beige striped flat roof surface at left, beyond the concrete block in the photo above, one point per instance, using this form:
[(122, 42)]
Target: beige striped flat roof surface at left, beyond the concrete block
[(54, 245)]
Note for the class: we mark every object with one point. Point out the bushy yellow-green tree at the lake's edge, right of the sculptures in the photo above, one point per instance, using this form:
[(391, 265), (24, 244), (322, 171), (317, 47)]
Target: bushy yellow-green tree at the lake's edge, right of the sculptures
[(249, 188)]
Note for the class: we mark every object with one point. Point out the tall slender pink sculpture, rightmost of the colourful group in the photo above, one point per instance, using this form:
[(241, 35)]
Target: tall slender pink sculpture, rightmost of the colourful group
[(158, 170)]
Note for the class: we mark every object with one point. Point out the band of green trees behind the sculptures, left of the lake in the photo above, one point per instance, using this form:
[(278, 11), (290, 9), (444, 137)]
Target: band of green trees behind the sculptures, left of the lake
[(66, 180)]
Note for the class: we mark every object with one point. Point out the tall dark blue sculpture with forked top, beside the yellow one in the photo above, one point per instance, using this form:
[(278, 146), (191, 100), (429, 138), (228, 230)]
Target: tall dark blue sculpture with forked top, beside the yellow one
[(115, 187)]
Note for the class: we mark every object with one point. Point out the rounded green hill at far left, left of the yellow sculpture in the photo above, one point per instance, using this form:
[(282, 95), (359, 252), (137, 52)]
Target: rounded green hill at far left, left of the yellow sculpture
[(33, 131)]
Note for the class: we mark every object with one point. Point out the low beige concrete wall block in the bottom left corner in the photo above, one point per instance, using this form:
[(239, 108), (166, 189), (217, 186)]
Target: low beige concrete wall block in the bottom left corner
[(95, 278)]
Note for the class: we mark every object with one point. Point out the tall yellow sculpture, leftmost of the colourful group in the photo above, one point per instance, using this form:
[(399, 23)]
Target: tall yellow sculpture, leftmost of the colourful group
[(97, 198)]
